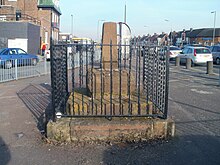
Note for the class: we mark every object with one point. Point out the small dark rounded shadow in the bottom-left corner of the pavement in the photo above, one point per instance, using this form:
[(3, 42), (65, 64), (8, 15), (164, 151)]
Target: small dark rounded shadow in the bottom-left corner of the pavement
[(5, 155)]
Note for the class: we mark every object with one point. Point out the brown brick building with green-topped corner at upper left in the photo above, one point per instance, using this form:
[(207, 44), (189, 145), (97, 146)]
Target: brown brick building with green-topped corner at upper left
[(45, 13)]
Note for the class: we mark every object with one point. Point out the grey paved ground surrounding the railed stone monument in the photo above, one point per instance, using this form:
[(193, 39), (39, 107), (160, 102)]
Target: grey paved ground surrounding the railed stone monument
[(193, 104)]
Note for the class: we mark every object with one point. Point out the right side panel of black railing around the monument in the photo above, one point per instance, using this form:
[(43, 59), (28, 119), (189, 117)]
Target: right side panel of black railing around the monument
[(156, 77)]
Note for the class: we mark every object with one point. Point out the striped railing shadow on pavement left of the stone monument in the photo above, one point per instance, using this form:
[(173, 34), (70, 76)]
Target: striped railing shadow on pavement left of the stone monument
[(37, 98)]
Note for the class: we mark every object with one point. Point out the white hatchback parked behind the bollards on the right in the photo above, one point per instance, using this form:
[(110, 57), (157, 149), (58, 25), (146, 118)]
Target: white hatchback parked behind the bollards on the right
[(198, 55)]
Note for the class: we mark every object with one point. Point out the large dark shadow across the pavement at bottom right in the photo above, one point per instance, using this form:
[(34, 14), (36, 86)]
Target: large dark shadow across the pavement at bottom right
[(193, 150)]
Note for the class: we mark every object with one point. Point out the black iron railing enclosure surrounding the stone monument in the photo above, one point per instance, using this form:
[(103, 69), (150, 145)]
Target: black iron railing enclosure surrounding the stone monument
[(132, 82)]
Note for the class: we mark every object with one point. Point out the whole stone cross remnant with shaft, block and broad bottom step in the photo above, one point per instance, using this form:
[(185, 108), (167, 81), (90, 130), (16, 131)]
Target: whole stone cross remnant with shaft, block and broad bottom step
[(111, 89)]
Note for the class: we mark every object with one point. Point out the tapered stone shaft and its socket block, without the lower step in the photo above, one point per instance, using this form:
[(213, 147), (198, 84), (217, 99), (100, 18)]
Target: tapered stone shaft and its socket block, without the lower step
[(102, 79)]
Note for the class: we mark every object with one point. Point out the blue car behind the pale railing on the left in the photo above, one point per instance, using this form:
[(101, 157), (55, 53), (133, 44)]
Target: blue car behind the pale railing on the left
[(9, 55)]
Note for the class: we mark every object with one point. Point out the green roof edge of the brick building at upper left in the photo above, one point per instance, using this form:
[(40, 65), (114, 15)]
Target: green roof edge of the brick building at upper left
[(50, 4)]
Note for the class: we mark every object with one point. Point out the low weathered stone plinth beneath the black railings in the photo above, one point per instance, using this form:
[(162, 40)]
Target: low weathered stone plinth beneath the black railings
[(116, 130)]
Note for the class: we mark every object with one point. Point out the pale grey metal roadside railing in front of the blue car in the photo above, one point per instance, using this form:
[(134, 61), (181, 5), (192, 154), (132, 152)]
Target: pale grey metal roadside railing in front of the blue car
[(15, 70)]
